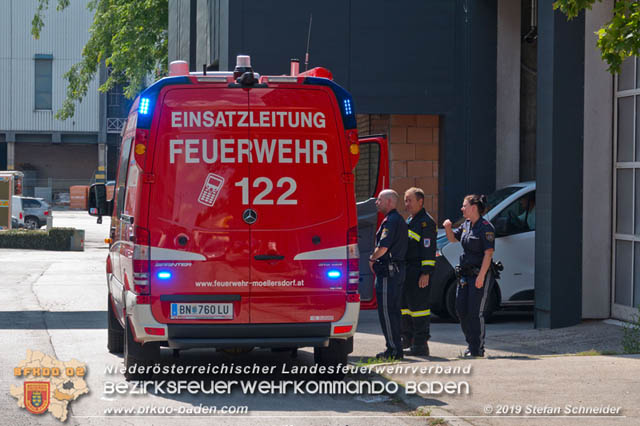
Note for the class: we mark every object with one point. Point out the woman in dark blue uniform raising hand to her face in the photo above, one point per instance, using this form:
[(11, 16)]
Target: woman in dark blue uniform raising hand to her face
[(476, 280)]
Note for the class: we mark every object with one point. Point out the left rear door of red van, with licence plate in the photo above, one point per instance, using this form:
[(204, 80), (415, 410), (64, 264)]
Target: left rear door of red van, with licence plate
[(198, 235)]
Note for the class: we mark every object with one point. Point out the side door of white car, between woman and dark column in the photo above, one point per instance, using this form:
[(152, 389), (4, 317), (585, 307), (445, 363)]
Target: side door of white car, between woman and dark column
[(515, 248)]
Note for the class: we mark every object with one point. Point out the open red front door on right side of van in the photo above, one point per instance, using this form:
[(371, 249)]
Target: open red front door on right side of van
[(371, 177)]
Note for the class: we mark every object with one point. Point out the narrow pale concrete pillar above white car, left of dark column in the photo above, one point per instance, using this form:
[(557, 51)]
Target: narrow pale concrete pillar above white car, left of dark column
[(508, 94)]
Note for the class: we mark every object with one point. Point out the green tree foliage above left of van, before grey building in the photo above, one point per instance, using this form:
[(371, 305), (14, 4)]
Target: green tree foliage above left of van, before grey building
[(130, 36)]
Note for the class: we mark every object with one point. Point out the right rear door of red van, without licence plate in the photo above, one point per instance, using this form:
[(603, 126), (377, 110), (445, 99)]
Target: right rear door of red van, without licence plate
[(297, 191)]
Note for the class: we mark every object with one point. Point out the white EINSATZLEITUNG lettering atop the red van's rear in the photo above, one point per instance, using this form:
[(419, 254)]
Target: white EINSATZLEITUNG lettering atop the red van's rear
[(277, 119)]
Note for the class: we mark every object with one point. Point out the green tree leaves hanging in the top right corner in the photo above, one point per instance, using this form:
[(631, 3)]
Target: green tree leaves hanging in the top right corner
[(620, 37)]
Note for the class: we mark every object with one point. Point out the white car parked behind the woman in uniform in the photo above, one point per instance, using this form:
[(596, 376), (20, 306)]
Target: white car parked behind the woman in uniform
[(512, 213)]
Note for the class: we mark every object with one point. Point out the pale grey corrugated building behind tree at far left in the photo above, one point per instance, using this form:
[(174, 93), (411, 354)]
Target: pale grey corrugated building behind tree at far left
[(54, 154)]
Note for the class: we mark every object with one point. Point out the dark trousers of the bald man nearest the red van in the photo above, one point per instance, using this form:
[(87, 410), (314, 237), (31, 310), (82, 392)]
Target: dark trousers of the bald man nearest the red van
[(389, 295)]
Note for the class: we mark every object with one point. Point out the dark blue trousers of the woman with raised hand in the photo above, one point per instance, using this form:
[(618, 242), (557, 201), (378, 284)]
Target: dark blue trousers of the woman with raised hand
[(471, 305)]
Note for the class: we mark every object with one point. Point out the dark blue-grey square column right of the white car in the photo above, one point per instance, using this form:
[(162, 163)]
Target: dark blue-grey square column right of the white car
[(559, 153)]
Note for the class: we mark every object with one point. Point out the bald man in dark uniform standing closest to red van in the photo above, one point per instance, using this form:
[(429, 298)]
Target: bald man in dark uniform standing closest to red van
[(388, 263)]
